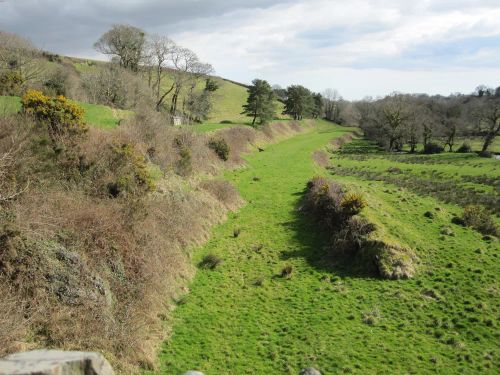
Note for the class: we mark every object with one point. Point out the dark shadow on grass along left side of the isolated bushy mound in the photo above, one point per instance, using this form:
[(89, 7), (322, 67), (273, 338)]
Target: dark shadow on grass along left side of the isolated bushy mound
[(314, 247)]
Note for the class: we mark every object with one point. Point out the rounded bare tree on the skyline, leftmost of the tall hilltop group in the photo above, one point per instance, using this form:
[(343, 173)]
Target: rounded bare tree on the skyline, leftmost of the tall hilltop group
[(125, 42)]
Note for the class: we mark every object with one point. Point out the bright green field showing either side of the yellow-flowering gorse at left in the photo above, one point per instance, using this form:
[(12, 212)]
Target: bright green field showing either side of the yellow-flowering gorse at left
[(96, 115)]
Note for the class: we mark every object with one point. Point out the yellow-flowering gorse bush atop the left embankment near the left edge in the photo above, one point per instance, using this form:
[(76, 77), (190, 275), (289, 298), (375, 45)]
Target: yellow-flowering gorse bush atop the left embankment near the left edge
[(63, 118)]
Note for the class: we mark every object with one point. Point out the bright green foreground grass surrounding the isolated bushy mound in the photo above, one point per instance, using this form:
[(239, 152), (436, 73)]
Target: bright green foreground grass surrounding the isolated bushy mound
[(442, 321)]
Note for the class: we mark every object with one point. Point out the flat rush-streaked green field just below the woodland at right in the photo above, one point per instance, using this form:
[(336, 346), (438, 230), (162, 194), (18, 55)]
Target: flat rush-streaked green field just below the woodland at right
[(454, 178)]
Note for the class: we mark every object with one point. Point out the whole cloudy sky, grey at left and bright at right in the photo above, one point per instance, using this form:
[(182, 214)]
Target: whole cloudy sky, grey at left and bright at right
[(359, 47)]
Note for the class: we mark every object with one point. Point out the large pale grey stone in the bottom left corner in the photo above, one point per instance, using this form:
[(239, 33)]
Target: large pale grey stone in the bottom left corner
[(55, 362)]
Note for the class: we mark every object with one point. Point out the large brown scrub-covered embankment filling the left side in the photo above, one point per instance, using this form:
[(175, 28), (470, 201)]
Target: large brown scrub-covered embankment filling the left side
[(94, 227)]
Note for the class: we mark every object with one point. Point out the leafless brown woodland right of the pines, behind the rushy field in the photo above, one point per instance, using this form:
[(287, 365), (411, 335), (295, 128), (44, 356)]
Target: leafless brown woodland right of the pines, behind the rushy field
[(435, 122)]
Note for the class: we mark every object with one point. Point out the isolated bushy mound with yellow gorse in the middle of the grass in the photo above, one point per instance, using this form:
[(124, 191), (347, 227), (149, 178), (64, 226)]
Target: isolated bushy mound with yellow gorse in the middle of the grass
[(354, 238)]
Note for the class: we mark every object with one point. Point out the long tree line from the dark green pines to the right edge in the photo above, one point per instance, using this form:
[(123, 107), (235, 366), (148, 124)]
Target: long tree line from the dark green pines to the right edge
[(395, 121)]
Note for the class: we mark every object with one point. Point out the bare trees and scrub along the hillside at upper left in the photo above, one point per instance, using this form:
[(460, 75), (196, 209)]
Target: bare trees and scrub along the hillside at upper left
[(146, 69)]
